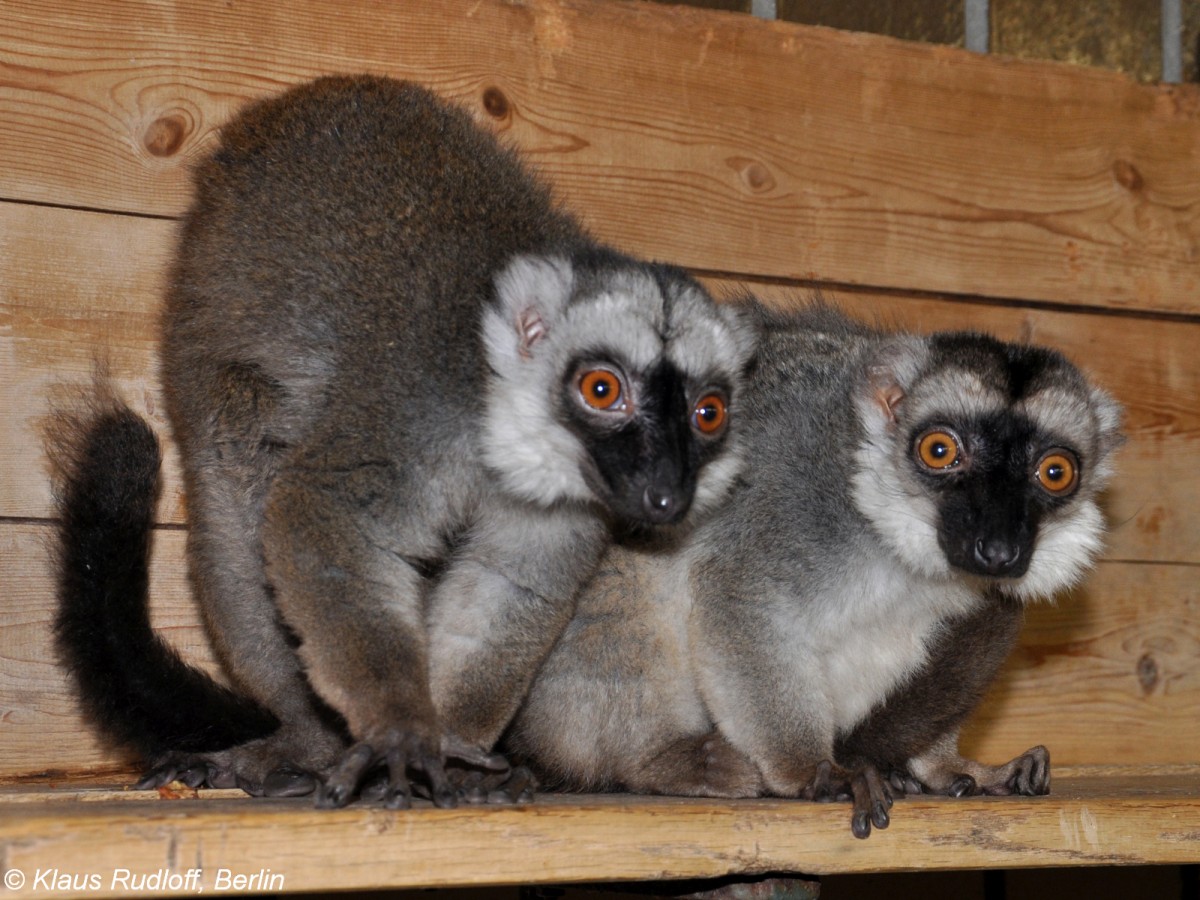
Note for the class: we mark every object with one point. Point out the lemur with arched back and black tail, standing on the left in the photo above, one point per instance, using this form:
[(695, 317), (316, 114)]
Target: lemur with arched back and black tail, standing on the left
[(413, 399)]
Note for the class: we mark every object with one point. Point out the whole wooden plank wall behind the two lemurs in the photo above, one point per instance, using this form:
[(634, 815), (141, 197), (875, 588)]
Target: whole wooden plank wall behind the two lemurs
[(921, 185)]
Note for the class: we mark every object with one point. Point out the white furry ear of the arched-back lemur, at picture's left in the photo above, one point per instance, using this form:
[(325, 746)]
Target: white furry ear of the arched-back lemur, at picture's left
[(531, 293)]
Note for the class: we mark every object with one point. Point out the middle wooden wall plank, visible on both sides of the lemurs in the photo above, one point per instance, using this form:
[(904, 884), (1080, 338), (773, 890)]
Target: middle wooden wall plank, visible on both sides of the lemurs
[(75, 284)]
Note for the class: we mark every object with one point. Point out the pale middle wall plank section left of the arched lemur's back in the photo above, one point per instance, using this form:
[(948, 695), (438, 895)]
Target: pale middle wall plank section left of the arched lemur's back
[(75, 289)]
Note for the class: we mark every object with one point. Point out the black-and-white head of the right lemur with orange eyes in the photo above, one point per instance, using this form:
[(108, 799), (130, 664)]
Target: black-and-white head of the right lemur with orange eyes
[(997, 453)]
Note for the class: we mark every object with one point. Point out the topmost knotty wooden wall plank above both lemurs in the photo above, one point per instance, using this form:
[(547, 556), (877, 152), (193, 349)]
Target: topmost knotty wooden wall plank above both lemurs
[(715, 140)]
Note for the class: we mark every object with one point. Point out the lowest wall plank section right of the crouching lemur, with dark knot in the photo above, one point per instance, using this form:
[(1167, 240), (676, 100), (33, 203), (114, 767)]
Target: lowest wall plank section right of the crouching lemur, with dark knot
[(1103, 675)]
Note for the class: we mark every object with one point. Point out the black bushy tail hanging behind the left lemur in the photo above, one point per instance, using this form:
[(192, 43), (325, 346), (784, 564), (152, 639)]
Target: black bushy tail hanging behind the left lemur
[(135, 688)]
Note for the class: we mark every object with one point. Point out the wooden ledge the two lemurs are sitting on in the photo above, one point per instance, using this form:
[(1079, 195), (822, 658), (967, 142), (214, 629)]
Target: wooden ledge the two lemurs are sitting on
[(1095, 817)]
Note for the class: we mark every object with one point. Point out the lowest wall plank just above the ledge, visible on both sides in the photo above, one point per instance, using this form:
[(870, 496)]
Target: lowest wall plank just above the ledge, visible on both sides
[(1108, 676)]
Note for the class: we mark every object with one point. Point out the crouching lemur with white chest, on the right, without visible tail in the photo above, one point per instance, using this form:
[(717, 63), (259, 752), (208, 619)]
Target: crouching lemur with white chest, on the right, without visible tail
[(903, 497)]
